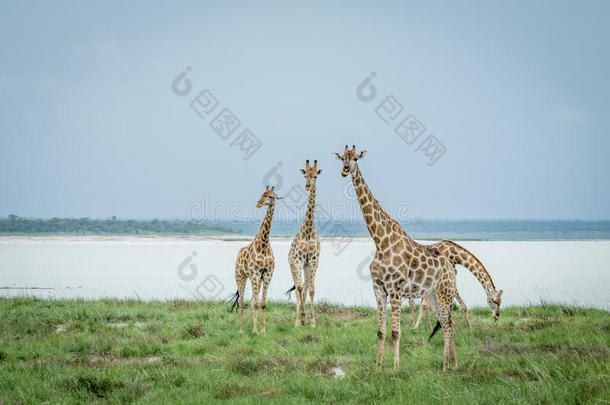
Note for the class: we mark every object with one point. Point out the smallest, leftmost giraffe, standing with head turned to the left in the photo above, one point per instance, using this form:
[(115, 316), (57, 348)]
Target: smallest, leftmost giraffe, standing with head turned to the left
[(256, 262)]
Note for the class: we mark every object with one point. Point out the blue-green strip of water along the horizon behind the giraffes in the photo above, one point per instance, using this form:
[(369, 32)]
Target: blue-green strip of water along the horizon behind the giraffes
[(448, 229)]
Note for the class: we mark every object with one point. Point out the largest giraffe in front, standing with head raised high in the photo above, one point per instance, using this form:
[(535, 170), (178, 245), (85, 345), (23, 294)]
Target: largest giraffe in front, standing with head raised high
[(402, 267)]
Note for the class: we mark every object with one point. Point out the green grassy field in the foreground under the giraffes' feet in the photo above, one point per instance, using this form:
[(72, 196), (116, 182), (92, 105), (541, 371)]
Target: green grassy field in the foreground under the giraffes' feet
[(191, 352)]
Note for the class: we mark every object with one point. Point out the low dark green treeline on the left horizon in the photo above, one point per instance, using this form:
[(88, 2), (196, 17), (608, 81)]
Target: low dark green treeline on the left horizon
[(112, 226)]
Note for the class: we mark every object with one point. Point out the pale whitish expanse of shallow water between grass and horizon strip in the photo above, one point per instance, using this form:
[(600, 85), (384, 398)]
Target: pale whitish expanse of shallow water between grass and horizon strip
[(568, 272)]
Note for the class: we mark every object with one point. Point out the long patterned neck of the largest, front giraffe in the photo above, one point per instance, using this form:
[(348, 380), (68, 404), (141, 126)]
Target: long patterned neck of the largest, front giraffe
[(371, 208)]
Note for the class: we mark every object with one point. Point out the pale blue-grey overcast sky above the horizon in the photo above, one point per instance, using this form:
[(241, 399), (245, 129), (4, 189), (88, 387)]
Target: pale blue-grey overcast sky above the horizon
[(95, 122)]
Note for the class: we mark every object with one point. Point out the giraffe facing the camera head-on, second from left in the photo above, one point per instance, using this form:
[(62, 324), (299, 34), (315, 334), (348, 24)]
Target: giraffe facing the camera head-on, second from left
[(305, 250)]
